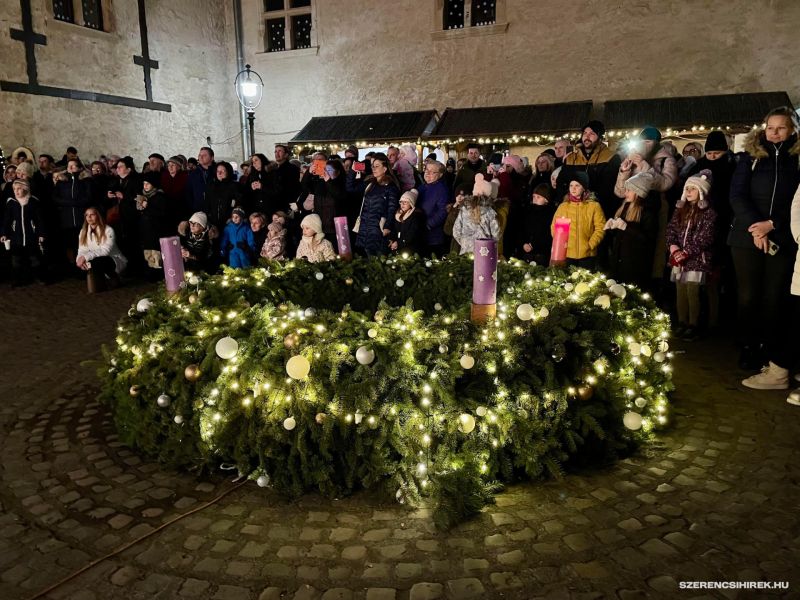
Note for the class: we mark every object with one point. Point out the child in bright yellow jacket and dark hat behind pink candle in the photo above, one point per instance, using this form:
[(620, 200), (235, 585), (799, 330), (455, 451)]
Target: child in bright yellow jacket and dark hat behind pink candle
[(586, 222)]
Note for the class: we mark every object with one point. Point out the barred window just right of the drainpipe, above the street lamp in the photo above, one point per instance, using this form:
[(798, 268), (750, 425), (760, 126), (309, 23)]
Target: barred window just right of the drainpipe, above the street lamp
[(289, 25)]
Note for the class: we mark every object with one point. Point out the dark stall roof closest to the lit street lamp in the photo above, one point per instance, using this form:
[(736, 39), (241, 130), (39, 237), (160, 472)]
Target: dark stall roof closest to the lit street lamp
[(398, 126)]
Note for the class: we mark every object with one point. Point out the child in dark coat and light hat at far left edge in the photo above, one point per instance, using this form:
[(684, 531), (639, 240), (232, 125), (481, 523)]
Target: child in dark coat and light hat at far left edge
[(23, 232)]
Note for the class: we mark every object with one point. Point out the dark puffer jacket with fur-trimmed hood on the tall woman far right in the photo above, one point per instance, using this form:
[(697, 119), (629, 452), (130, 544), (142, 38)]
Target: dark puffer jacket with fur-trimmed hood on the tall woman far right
[(763, 184)]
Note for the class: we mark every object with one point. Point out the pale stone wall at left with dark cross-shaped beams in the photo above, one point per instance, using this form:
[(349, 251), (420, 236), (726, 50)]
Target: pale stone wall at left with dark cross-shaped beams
[(193, 42)]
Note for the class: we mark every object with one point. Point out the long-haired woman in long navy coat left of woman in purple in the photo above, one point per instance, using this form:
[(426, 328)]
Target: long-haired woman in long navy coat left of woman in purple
[(381, 193)]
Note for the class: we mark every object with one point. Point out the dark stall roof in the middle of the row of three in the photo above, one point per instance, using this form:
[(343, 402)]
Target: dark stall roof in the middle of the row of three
[(526, 119)]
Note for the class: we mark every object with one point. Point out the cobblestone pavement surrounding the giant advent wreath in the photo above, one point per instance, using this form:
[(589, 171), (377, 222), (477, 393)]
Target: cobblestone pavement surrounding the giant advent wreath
[(715, 499)]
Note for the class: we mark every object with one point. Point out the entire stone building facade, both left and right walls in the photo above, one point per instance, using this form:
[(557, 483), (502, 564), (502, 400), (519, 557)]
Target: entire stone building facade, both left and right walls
[(361, 56)]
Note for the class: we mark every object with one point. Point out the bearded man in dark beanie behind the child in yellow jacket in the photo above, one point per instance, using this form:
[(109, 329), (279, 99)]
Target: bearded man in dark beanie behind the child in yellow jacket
[(593, 156)]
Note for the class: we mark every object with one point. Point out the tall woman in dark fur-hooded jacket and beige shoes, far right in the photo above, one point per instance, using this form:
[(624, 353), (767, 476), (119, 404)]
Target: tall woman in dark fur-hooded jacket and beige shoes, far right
[(762, 246)]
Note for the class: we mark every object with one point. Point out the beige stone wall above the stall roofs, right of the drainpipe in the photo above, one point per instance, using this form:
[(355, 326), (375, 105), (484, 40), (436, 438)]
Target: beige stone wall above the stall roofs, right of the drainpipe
[(388, 59)]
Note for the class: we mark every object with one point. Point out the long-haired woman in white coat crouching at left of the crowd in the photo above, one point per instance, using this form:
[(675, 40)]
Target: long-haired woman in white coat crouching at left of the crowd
[(98, 253)]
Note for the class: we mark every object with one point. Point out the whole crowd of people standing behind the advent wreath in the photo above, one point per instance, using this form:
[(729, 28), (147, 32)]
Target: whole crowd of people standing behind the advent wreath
[(696, 228)]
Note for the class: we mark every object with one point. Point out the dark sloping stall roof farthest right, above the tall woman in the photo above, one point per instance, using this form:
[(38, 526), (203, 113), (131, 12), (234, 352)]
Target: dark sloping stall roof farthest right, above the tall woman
[(733, 110)]
